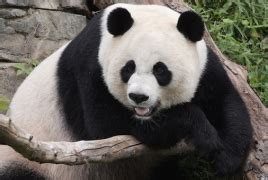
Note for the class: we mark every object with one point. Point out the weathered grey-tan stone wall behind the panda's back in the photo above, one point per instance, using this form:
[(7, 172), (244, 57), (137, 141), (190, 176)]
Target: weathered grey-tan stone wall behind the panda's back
[(32, 30)]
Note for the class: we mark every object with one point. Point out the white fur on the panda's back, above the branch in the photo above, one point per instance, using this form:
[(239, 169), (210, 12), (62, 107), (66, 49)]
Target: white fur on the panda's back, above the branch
[(35, 102)]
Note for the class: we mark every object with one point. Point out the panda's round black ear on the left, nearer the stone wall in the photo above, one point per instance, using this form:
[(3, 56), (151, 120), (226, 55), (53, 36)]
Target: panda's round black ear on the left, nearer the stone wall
[(119, 21)]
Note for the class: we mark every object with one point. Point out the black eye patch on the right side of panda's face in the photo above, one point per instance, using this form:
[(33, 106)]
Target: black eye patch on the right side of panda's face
[(162, 74)]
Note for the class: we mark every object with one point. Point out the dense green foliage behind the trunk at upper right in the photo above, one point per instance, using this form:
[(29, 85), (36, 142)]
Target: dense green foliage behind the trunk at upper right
[(240, 29)]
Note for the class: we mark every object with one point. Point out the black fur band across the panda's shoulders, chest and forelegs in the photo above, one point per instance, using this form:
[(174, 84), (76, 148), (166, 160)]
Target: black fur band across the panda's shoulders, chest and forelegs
[(216, 120)]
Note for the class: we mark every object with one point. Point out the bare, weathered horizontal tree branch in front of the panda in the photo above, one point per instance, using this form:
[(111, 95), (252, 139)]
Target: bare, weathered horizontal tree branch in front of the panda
[(81, 152)]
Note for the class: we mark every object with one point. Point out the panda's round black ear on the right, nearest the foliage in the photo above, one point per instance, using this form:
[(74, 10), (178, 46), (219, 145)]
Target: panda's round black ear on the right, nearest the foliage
[(191, 26)]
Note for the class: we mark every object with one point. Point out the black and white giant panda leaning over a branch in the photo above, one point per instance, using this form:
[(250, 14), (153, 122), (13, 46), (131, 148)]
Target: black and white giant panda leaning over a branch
[(141, 70)]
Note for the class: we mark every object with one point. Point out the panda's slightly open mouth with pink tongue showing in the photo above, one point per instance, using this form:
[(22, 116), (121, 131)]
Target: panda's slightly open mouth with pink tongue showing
[(145, 112)]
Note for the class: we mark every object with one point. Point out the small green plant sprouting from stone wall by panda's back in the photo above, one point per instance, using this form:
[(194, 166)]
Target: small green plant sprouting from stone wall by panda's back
[(25, 68)]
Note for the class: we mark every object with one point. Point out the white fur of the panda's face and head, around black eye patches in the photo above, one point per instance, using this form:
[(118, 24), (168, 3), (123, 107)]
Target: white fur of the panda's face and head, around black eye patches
[(153, 37)]
